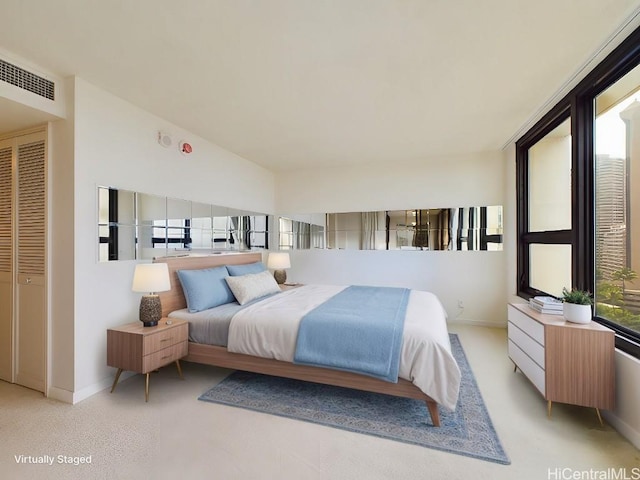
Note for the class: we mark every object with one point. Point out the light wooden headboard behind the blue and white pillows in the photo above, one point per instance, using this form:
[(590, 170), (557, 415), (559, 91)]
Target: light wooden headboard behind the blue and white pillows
[(174, 299)]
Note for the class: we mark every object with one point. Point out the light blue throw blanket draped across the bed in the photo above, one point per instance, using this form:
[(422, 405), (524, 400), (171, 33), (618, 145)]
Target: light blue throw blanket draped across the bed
[(358, 330)]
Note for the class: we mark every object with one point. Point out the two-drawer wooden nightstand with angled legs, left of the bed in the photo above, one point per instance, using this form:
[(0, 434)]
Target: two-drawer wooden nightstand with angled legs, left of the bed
[(141, 349)]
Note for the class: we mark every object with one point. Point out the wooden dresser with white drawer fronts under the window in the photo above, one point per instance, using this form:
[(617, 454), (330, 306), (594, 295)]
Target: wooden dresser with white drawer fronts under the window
[(566, 362)]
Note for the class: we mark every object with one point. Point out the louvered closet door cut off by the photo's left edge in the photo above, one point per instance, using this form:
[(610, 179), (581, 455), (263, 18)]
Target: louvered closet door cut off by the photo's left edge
[(6, 260)]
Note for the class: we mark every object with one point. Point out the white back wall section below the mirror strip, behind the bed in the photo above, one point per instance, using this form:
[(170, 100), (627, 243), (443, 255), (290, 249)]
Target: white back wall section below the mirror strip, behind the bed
[(475, 278)]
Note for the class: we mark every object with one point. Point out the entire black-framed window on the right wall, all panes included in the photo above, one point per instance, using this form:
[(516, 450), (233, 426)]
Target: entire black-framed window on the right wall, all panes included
[(578, 183)]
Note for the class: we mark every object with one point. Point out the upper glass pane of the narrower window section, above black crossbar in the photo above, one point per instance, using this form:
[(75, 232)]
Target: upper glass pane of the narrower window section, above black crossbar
[(550, 181)]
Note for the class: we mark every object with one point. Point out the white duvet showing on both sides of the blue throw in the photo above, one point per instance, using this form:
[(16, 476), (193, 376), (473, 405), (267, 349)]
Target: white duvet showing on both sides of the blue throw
[(269, 329)]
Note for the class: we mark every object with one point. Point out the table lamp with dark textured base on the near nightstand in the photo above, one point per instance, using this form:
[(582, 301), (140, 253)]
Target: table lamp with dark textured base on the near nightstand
[(151, 278)]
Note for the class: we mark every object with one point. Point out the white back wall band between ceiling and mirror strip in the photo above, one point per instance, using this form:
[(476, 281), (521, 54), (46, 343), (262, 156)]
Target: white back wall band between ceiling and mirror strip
[(431, 183)]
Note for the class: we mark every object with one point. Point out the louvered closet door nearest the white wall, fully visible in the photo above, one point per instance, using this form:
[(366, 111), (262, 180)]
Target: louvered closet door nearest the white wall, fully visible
[(30, 265)]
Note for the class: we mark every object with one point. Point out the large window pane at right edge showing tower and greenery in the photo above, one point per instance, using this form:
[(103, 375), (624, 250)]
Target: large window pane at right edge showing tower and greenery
[(617, 199)]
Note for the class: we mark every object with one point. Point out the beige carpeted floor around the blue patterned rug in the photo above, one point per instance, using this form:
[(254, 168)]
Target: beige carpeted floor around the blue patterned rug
[(174, 436)]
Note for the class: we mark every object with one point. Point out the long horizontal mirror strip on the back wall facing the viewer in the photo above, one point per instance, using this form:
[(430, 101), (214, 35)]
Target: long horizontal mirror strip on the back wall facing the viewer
[(458, 228)]
